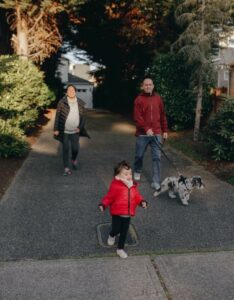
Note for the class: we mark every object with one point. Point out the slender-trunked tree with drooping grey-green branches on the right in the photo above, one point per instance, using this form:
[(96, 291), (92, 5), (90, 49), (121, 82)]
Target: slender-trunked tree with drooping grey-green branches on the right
[(202, 21)]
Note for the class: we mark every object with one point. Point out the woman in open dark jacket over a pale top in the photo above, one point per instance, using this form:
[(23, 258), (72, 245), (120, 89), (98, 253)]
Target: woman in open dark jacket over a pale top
[(69, 126)]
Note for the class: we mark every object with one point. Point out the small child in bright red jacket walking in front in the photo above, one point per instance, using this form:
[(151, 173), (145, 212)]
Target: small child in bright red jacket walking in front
[(122, 199)]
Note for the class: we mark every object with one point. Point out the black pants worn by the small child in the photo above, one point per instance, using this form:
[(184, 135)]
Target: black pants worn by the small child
[(120, 226)]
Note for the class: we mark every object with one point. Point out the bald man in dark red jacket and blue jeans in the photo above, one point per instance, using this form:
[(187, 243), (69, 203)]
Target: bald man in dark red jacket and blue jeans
[(151, 128)]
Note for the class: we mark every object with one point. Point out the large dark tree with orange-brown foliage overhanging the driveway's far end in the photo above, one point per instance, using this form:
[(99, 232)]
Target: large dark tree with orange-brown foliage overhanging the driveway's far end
[(120, 36)]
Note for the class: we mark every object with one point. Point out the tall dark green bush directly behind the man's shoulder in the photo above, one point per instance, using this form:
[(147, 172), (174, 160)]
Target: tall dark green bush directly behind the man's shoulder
[(172, 78)]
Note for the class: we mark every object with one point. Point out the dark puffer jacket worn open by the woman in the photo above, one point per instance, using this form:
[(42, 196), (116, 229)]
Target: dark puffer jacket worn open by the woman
[(62, 112)]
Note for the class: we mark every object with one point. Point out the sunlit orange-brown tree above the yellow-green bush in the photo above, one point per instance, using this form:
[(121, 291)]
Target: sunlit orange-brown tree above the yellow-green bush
[(34, 23)]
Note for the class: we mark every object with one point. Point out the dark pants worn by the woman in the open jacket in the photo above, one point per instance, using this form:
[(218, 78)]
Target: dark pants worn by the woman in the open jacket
[(68, 139)]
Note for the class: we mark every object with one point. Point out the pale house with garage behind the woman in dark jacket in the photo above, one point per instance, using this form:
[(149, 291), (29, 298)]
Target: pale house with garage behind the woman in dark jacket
[(83, 82)]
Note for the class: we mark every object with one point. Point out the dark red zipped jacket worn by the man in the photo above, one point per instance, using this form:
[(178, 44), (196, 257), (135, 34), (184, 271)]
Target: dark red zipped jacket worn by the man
[(149, 113)]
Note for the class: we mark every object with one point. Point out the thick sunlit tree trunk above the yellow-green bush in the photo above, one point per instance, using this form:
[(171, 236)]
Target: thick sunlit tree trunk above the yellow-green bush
[(21, 43)]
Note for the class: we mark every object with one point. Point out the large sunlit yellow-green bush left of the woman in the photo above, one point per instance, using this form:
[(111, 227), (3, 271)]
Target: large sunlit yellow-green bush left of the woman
[(23, 94)]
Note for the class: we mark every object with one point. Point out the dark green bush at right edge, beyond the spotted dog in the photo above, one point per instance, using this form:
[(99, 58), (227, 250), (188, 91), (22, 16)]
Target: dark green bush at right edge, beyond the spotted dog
[(219, 133)]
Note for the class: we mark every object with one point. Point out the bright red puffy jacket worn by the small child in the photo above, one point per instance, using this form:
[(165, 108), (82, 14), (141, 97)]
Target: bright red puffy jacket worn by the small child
[(121, 199)]
